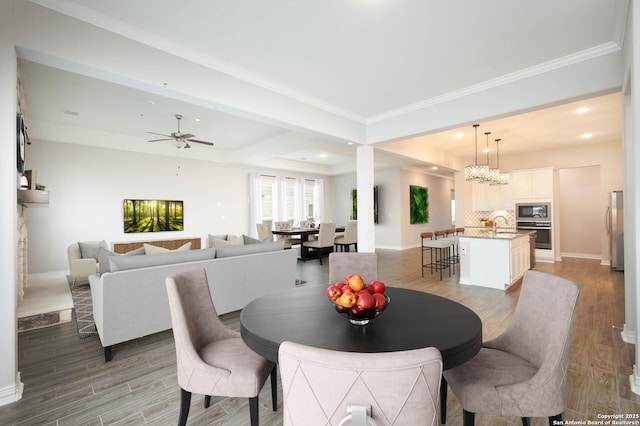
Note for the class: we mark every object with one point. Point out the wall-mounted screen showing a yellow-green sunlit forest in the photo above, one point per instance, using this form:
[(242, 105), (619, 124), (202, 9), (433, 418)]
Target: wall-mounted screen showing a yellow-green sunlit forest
[(153, 216)]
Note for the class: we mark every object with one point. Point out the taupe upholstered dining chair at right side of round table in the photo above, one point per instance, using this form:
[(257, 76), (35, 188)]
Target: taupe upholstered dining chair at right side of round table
[(522, 372)]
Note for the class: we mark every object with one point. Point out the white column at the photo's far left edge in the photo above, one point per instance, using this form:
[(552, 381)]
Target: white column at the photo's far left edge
[(10, 384)]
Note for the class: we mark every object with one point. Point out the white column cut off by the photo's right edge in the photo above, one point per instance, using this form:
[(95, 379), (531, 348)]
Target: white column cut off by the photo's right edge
[(631, 149)]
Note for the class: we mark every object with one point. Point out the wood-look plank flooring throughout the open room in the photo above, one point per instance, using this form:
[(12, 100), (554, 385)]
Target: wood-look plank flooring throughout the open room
[(67, 382)]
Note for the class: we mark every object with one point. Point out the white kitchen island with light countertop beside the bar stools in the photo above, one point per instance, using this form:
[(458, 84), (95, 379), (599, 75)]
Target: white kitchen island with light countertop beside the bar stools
[(493, 259)]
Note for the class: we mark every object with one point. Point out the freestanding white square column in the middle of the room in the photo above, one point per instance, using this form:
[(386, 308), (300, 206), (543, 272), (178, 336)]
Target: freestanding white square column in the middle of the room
[(365, 184)]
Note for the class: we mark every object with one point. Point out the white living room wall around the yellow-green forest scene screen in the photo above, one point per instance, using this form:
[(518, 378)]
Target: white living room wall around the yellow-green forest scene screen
[(88, 185)]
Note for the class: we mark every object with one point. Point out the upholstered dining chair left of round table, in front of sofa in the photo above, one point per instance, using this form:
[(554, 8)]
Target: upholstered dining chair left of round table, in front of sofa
[(212, 359)]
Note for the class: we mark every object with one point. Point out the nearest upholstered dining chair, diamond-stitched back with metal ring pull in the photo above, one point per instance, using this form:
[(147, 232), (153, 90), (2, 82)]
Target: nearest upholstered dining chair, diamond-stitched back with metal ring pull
[(325, 387)]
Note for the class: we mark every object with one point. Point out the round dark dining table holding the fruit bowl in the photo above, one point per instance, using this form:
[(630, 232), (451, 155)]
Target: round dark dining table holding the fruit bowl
[(412, 320)]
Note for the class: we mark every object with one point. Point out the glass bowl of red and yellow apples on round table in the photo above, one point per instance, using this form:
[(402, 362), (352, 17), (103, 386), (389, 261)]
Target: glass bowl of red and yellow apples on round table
[(357, 301)]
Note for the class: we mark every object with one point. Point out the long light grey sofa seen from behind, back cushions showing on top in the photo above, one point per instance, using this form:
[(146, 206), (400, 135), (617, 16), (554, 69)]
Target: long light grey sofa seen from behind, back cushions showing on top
[(131, 301)]
